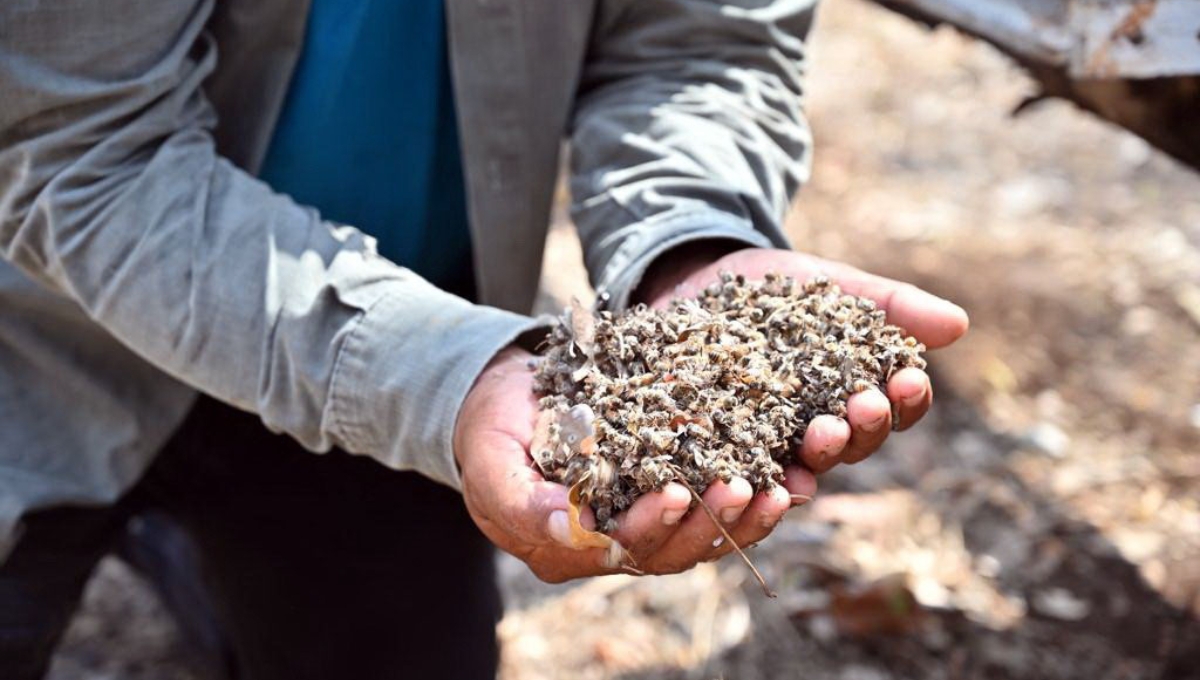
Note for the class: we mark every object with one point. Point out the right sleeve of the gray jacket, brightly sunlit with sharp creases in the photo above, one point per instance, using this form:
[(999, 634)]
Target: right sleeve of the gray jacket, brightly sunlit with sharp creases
[(689, 127)]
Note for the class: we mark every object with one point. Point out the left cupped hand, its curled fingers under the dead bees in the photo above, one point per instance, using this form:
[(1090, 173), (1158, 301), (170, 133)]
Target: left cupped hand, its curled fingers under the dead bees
[(526, 515)]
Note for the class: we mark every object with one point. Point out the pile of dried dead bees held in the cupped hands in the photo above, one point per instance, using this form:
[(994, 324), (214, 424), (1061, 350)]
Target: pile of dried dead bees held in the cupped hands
[(718, 387)]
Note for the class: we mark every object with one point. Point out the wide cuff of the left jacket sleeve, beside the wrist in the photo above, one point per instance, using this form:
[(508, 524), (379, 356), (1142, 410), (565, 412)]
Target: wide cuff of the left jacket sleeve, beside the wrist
[(404, 374)]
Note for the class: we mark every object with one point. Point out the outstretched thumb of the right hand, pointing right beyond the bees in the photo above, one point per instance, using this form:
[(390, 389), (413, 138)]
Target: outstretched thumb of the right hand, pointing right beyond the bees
[(933, 321)]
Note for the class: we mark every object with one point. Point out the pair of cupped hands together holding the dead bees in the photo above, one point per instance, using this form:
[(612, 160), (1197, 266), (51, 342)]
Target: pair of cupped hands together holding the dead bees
[(527, 516)]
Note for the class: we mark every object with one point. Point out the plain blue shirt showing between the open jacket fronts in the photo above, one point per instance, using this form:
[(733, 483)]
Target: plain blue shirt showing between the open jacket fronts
[(368, 134)]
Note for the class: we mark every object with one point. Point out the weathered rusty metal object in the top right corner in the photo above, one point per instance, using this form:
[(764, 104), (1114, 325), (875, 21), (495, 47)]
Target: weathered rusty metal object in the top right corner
[(1136, 64)]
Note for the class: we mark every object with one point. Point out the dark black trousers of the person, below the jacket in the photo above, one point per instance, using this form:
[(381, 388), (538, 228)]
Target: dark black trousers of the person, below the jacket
[(317, 567)]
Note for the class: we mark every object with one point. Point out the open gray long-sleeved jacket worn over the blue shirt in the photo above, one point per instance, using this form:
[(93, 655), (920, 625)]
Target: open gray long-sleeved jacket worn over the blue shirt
[(143, 262)]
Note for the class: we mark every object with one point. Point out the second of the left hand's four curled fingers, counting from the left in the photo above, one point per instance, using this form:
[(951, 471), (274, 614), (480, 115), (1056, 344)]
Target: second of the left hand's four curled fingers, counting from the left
[(697, 537)]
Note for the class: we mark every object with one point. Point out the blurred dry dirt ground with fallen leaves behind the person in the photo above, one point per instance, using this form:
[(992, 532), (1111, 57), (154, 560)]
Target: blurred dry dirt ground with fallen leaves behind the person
[(1043, 522)]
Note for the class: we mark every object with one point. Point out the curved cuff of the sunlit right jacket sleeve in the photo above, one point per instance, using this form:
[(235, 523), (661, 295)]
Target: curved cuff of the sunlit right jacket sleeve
[(653, 238)]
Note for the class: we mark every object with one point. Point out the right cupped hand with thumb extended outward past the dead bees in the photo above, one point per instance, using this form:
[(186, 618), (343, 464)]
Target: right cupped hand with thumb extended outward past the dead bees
[(829, 440)]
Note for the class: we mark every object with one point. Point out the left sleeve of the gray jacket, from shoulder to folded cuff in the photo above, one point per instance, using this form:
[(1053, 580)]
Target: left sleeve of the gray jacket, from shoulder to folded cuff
[(112, 194)]
